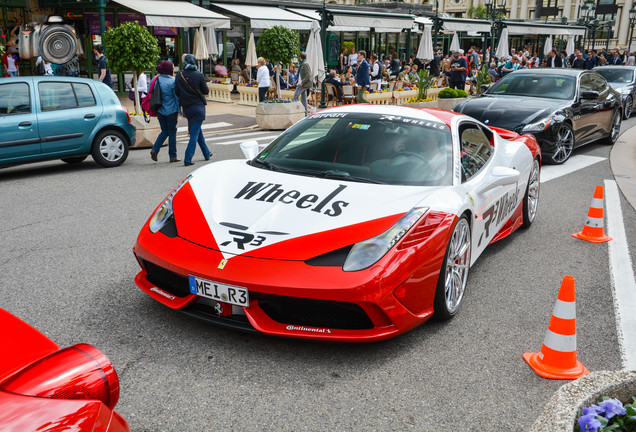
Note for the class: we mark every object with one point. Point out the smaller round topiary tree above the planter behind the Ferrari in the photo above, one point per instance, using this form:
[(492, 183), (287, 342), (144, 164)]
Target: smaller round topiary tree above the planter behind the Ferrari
[(279, 45)]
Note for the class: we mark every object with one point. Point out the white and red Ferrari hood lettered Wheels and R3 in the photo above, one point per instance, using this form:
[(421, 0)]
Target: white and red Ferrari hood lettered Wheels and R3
[(243, 210)]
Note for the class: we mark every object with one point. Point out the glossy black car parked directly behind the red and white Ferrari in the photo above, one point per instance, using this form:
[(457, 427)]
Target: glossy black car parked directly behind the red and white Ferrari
[(562, 108)]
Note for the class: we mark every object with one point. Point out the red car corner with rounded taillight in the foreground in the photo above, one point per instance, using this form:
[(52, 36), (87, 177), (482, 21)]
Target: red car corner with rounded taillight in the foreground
[(45, 388)]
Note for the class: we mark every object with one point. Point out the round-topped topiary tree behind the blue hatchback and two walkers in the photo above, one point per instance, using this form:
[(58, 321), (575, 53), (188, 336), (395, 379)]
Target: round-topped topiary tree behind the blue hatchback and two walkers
[(131, 47)]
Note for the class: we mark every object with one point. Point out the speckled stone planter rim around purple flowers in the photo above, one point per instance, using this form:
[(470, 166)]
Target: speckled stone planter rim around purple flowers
[(559, 414)]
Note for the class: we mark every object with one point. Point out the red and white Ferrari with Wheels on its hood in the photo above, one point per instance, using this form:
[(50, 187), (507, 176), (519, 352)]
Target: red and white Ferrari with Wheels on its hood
[(356, 224)]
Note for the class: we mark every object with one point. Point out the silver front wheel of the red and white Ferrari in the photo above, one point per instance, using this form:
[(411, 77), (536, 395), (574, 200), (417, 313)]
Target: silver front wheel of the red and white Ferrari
[(457, 264)]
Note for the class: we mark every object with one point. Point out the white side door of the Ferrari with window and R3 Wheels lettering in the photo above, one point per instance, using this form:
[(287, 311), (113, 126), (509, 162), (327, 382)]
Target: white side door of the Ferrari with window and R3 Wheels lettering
[(493, 206)]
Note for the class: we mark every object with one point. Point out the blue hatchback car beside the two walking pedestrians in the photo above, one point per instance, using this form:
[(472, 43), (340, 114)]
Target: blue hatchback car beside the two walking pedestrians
[(48, 117)]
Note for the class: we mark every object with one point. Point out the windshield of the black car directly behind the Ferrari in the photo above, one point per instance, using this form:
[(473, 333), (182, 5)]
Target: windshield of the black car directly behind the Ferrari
[(539, 85)]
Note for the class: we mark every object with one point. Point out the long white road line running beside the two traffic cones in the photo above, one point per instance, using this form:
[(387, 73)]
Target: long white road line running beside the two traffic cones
[(623, 283)]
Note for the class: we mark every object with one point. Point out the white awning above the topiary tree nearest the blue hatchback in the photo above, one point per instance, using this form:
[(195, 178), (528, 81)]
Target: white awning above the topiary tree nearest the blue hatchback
[(166, 13)]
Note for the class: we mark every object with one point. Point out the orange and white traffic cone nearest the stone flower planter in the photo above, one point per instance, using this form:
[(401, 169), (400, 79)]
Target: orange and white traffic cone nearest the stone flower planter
[(557, 359)]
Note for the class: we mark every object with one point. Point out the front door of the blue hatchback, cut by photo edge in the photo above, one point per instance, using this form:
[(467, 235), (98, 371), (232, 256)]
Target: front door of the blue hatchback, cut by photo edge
[(18, 122)]
